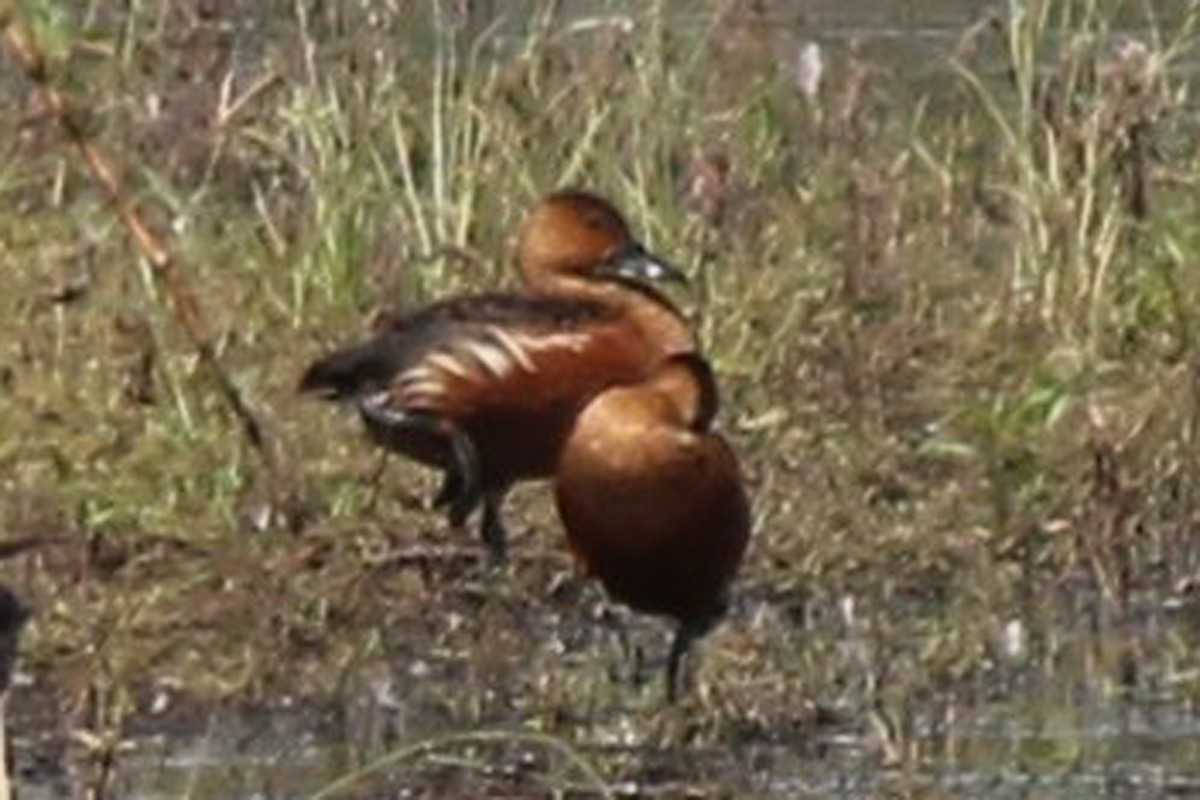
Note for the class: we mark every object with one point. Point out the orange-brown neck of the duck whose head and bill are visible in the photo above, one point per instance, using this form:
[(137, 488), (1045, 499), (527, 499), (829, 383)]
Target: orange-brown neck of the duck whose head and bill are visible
[(653, 314)]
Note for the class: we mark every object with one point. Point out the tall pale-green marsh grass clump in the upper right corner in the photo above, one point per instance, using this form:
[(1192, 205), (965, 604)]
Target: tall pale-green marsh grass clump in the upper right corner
[(1082, 129)]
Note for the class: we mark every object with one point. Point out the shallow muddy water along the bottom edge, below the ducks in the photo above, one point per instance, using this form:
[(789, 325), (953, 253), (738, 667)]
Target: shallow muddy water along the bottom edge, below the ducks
[(1067, 732)]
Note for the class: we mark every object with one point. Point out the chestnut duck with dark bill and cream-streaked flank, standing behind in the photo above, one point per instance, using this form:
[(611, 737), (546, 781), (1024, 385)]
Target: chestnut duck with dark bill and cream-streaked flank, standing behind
[(487, 387)]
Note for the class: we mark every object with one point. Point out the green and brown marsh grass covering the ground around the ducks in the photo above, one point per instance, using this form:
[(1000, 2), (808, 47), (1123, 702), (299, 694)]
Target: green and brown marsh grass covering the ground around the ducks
[(956, 329)]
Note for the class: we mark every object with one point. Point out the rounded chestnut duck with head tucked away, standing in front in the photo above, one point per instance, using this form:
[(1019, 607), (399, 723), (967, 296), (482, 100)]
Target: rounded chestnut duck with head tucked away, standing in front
[(653, 503)]
